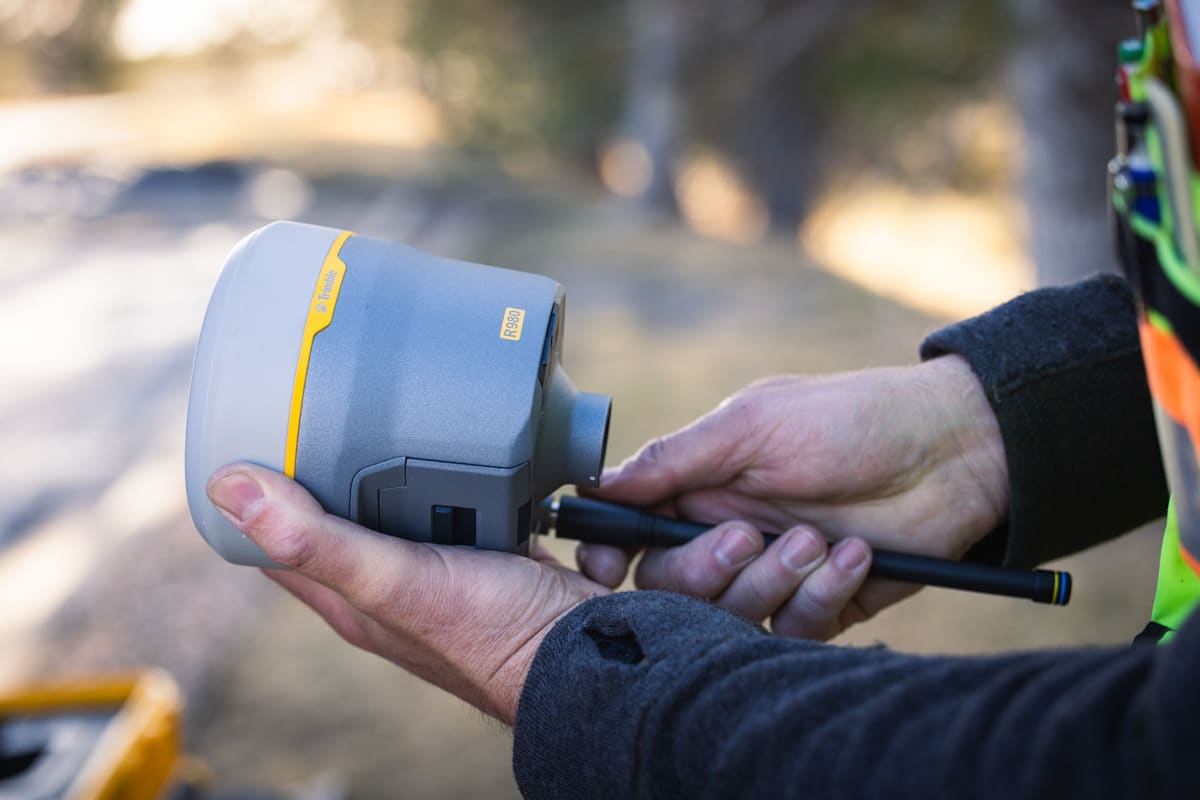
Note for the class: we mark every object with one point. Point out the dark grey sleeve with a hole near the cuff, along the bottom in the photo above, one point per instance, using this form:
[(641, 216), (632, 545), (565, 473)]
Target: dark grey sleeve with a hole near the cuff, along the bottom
[(647, 695)]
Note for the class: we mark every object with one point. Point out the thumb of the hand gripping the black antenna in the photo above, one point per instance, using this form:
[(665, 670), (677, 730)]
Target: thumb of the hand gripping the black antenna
[(707, 454)]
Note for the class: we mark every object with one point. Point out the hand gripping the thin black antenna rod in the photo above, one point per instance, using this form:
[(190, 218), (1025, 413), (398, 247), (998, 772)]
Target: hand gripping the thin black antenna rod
[(908, 459)]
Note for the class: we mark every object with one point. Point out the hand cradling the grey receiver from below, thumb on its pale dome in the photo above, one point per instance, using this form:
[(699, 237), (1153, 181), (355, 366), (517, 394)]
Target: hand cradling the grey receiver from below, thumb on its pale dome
[(463, 619)]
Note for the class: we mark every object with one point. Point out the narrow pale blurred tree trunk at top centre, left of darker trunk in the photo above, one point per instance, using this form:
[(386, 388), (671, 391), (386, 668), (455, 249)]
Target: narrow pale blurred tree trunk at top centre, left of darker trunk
[(653, 104)]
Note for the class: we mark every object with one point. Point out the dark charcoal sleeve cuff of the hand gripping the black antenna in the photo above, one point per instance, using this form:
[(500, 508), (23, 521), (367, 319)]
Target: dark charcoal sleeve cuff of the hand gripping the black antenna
[(1063, 371)]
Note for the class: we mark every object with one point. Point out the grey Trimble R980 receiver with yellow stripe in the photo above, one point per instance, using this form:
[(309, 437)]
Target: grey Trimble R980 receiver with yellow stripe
[(415, 395)]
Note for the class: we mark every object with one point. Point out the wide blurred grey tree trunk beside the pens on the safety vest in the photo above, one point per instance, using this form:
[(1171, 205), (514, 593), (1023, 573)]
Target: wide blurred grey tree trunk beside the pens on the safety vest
[(1064, 85)]
